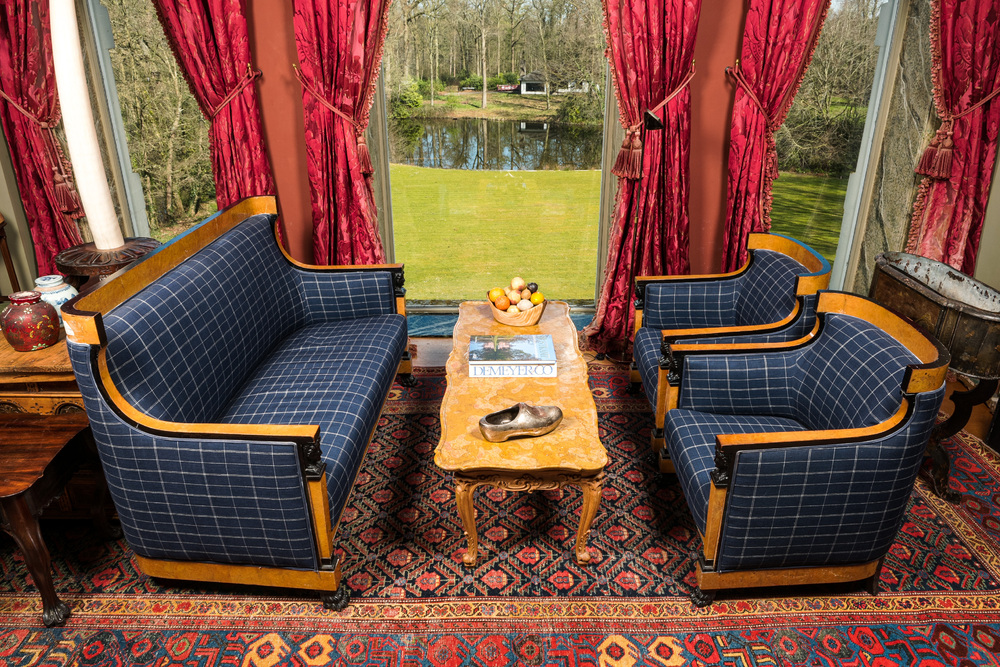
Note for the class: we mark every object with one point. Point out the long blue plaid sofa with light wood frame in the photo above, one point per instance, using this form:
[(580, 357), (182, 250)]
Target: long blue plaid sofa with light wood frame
[(232, 394)]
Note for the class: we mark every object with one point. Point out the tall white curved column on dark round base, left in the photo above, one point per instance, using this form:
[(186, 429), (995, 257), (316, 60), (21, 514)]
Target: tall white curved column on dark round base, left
[(78, 121)]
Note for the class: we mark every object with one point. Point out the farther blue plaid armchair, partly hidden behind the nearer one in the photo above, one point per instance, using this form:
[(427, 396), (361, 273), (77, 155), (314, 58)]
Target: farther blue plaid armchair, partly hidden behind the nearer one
[(771, 298)]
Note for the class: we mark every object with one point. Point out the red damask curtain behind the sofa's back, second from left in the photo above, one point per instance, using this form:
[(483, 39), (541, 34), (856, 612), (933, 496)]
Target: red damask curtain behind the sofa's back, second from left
[(209, 39)]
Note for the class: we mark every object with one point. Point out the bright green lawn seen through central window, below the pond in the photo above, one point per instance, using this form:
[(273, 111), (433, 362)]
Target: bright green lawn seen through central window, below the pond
[(462, 232)]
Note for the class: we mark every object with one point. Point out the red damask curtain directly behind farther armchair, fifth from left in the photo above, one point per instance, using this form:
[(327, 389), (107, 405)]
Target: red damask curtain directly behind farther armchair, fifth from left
[(779, 37)]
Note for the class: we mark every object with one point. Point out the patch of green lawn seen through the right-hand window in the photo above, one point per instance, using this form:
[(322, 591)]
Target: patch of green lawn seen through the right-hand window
[(811, 209)]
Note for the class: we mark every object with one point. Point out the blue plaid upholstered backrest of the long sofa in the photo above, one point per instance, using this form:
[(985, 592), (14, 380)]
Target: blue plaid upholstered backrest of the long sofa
[(180, 348)]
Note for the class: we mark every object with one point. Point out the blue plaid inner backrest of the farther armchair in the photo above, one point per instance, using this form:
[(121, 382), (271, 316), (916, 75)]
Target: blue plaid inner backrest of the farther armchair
[(767, 289)]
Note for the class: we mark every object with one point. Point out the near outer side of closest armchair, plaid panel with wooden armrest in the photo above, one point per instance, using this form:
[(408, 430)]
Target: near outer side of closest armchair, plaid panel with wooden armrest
[(855, 479)]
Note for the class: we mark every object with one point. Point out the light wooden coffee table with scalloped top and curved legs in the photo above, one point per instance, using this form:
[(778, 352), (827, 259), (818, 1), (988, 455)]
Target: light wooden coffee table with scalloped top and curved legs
[(571, 455)]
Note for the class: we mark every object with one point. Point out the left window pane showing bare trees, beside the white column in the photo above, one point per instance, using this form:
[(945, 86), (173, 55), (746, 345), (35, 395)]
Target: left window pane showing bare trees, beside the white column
[(167, 133)]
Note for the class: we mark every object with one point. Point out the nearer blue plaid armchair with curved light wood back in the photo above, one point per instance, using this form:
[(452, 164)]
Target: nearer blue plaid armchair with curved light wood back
[(797, 463)]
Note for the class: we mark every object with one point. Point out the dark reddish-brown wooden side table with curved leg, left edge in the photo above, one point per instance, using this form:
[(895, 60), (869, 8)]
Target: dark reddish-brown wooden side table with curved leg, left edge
[(38, 454)]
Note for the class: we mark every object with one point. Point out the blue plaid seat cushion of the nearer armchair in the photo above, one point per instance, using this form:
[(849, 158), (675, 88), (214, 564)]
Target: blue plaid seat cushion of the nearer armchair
[(690, 438)]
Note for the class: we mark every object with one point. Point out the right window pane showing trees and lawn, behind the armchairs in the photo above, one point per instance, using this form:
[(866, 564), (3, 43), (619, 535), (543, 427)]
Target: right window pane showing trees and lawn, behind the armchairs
[(819, 142)]
